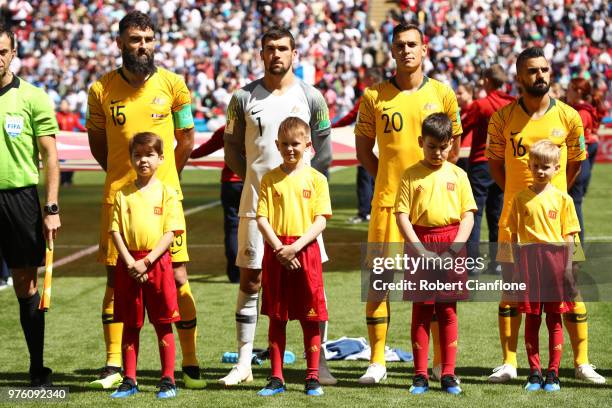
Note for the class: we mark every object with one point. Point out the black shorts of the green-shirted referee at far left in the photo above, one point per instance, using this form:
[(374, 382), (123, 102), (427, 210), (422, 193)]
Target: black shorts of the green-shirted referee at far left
[(22, 243)]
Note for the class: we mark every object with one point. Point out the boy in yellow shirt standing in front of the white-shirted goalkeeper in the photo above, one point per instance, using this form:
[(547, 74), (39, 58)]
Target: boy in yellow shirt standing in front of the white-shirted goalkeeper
[(293, 207)]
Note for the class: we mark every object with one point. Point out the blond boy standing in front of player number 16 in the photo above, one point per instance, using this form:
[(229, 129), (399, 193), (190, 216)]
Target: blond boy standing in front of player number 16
[(542, 217)]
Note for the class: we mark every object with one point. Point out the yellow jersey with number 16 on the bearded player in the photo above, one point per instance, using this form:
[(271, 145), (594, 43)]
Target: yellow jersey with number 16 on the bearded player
[(512, 132)]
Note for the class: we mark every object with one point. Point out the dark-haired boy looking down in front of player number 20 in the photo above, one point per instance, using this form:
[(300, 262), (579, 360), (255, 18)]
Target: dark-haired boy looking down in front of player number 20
[(435, 214)]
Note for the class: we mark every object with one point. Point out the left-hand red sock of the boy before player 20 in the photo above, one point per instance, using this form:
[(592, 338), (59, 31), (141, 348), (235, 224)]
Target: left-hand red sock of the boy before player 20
[(419, 332)]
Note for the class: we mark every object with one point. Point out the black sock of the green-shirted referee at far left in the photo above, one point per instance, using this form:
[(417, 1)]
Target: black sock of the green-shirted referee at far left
[(33, 325)]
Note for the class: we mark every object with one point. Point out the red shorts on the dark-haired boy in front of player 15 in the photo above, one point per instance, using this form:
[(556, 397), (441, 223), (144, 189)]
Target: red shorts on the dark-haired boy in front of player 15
[(157, 294)]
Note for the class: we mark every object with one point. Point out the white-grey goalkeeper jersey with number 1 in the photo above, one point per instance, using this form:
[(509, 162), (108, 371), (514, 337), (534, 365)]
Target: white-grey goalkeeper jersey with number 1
[(253, 118)]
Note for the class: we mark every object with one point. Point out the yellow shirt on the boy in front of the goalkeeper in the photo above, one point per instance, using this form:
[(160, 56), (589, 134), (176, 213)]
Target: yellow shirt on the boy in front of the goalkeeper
[(291, 202)]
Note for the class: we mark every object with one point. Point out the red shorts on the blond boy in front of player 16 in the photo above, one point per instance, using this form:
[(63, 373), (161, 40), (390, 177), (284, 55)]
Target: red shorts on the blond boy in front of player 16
[(542, 268)]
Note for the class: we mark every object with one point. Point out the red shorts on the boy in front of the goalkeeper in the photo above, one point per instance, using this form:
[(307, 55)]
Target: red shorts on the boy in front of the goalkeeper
[(294, 295)]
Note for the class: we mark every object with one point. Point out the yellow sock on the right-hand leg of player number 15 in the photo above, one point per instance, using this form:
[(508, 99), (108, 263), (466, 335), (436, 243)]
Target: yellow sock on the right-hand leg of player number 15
[(187, 326)]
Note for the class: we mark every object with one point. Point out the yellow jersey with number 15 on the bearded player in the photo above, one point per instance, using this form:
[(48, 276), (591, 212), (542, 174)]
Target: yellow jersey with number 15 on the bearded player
[(122, 111)]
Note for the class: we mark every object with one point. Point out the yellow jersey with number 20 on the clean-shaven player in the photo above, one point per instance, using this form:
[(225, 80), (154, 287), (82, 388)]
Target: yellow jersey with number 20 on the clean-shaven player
[(394, 118)]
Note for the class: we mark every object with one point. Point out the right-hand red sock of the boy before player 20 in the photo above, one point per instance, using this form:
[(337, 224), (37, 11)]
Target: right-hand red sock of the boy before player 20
[(447, 321)]
